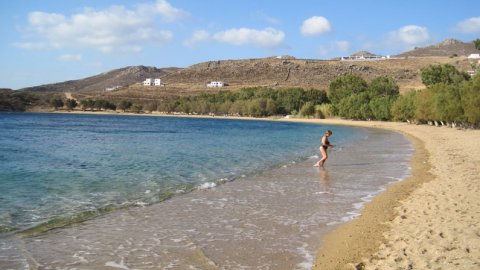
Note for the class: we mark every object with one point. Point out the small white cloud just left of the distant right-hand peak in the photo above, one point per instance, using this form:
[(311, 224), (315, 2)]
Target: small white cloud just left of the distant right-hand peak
[(408, 37)]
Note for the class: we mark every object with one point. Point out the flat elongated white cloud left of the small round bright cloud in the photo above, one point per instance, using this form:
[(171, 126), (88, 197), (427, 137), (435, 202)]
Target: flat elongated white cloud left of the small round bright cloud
[(266, 38)]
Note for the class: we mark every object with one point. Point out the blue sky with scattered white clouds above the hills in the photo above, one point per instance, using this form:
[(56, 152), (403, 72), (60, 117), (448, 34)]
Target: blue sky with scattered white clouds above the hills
[(53, 41)]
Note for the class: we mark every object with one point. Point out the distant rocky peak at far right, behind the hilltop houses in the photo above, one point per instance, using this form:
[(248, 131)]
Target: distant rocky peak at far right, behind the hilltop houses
[(447, 48)]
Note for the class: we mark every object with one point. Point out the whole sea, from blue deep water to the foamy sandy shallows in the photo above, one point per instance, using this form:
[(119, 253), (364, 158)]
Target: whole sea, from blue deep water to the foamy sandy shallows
[(87, 191)]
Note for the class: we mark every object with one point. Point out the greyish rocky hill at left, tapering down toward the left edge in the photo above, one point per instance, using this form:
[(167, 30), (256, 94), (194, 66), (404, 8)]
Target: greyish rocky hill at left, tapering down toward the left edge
[(122, 77)]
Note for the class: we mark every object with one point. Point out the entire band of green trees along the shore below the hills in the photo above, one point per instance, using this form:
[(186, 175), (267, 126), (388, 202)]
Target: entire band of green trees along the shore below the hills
[(450, 97)]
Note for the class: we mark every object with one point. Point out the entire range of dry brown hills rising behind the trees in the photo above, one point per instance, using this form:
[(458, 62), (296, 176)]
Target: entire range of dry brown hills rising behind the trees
[(272, 72)]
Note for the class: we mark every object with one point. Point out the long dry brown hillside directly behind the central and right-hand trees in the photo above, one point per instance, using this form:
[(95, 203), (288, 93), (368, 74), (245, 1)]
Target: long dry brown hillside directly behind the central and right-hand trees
[(300, 72)]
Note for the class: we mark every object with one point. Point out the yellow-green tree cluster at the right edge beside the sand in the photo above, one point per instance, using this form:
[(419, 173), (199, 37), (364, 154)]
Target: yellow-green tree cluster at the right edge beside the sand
[(451, 97)]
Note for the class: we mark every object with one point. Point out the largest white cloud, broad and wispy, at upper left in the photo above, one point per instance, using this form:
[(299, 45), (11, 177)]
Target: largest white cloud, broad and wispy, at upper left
[(113, 29)]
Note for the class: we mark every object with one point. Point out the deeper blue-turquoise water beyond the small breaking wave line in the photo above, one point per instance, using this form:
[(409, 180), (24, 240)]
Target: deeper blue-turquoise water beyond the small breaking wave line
[(55, 165)]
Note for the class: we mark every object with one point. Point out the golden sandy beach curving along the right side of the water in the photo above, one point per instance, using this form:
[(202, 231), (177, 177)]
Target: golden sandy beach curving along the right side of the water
[(428, 221)]
